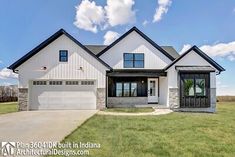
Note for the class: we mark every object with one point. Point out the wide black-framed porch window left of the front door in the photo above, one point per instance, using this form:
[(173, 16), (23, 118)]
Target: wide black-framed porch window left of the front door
[(126, 89)]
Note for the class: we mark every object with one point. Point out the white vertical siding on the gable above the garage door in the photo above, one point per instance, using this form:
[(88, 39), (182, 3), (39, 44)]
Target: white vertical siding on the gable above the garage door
[(49, 57)]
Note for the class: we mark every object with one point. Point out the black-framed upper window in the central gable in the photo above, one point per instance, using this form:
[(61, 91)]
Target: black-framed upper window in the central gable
[(133, 60)]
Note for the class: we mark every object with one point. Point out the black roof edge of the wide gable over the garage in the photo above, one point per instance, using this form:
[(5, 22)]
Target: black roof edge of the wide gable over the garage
[(47, 42)]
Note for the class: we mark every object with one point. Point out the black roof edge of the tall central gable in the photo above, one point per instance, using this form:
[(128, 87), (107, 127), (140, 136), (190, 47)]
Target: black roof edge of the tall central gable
[(142, 35)]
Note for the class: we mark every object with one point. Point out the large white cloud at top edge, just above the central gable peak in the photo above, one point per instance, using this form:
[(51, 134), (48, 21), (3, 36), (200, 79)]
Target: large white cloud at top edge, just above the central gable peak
[(120, 12)]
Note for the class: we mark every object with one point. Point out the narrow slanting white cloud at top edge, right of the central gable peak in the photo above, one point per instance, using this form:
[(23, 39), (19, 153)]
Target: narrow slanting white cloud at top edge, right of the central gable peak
[(161, 9)]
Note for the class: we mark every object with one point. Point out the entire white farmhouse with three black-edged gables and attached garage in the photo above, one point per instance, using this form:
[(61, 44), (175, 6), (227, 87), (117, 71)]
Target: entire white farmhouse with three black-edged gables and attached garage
[(61, 73)]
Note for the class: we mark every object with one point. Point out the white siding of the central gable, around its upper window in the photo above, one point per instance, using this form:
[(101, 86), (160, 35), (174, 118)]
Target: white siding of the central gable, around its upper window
[(134, 43)]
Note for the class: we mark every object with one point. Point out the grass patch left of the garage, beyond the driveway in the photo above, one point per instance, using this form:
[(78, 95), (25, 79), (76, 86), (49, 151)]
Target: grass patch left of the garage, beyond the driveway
[(8, 107)]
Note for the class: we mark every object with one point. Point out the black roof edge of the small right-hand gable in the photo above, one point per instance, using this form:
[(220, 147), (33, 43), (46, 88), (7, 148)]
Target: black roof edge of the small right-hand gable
[(202, 54)]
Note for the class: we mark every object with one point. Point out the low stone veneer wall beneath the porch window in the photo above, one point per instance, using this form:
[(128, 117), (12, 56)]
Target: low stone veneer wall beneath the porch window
[(126, 101)]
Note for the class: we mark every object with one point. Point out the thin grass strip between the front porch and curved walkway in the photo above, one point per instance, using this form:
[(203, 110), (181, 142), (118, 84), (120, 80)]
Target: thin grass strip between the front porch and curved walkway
[(130, 110)]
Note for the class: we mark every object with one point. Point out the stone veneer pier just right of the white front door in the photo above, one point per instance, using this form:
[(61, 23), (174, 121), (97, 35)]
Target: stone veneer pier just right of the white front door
[(174, 98)]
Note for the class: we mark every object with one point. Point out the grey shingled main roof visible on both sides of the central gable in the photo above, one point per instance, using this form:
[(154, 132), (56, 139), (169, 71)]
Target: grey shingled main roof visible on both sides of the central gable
[(98, 48)]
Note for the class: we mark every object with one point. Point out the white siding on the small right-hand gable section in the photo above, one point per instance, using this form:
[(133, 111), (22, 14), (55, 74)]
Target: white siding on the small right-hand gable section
[(190, 59)]
